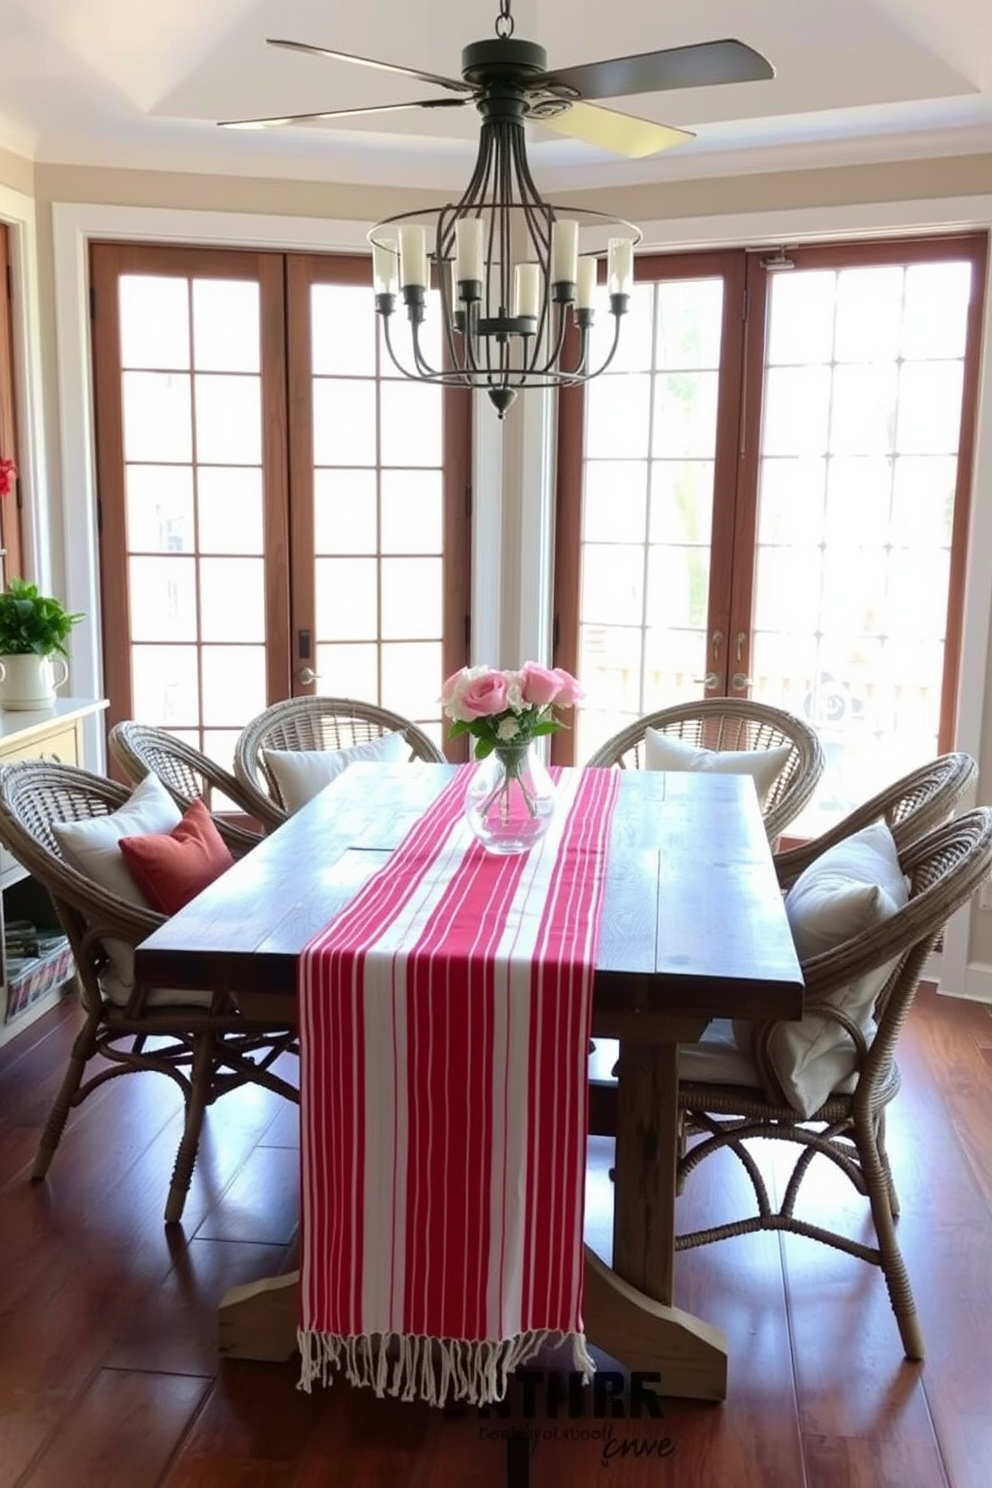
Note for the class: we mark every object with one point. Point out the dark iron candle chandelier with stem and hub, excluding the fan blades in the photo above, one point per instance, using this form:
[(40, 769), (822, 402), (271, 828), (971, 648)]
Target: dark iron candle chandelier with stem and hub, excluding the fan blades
[(508, 267)]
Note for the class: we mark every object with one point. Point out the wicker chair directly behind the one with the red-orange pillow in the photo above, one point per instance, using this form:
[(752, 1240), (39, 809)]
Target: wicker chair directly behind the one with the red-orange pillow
[(188, 775)]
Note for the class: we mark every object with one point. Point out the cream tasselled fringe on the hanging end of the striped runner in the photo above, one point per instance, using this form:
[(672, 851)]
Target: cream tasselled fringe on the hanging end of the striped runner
[(432, 1370)]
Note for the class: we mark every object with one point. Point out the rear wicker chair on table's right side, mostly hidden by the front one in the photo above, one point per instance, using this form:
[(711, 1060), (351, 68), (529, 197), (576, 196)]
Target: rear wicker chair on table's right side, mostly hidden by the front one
[(912, 806)]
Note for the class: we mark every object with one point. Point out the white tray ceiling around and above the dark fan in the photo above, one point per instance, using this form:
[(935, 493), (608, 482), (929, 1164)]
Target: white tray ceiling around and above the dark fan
[(142, 83)]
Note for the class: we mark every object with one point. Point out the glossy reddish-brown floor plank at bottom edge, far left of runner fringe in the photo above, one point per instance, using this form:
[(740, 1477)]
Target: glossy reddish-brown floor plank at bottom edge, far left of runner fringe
[(123, 1432)]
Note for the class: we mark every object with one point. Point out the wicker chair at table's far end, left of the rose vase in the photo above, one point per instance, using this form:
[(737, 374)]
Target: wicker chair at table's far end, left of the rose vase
[(313, 724)]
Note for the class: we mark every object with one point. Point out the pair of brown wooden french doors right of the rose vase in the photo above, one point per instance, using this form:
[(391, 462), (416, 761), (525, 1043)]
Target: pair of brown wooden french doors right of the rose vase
[(771, 498)]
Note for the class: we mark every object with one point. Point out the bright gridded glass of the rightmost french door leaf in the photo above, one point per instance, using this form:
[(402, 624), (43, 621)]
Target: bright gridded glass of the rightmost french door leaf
[(854, 533)]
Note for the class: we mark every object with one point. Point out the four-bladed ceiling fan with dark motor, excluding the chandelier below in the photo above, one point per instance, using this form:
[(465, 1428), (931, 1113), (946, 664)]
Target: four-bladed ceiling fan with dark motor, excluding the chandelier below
[(506, 74)]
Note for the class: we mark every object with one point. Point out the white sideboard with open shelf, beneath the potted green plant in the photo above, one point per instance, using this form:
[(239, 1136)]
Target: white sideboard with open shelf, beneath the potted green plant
[(36, 965)]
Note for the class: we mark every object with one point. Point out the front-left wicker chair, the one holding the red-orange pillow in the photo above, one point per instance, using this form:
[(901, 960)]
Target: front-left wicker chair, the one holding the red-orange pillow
[(200, 1041)]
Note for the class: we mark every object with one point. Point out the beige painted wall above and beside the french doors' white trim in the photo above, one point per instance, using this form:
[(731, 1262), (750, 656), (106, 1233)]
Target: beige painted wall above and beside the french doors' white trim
[(834, 187)]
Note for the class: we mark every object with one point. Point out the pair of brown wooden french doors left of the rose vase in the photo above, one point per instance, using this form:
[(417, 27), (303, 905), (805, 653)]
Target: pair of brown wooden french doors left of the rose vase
[(277, 514)]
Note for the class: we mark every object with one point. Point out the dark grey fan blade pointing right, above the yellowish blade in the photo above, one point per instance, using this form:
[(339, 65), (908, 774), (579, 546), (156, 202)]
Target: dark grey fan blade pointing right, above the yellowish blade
[(706, 65)]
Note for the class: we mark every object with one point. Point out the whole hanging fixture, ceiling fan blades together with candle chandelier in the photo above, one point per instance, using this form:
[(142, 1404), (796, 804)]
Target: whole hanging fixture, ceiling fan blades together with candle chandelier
[(517, 278)]
